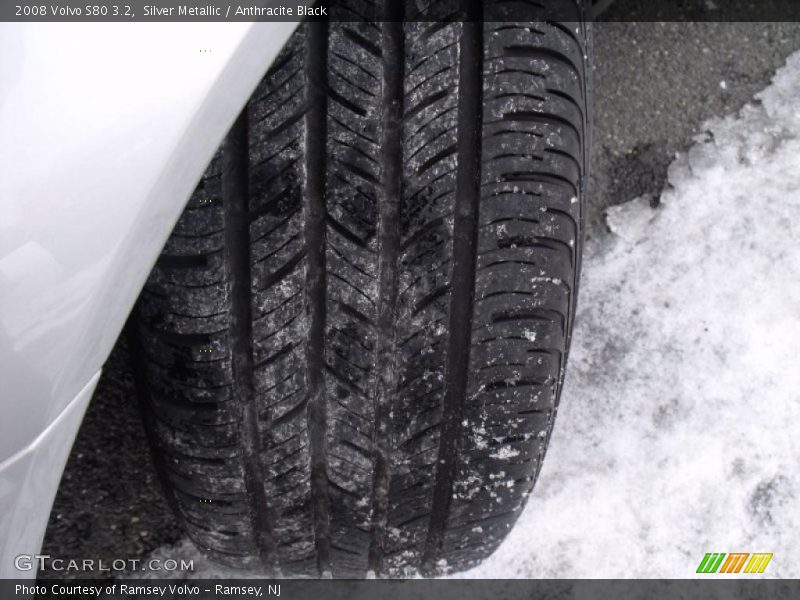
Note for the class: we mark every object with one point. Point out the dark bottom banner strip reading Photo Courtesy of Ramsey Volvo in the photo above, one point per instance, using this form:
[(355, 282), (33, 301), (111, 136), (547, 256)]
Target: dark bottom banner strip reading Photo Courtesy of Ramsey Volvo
[(447, 589)]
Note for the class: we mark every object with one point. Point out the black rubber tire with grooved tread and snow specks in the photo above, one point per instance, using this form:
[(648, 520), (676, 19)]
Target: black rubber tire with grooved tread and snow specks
[(353, 344)]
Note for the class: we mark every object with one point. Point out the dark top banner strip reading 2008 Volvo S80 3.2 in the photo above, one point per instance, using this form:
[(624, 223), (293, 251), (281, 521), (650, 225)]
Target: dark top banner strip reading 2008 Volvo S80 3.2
[(151, 11)]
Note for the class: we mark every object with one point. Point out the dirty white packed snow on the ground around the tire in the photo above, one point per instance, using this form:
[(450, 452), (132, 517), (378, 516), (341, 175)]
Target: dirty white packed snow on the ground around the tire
[(679, 428)]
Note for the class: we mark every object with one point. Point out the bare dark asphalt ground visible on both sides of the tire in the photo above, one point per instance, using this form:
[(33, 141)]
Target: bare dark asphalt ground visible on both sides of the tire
[(655, 84)]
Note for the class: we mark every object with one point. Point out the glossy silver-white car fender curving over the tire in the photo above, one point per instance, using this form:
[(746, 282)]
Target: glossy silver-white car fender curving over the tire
[(105, 129)]
